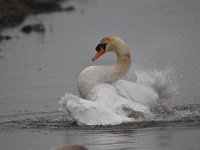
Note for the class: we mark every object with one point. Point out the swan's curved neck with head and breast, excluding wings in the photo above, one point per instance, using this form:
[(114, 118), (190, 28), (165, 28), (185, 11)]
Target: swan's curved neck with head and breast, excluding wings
[(94, 75)]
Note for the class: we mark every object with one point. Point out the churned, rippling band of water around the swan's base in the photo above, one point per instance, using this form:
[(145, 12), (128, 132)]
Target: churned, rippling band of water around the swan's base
[(184, 115)]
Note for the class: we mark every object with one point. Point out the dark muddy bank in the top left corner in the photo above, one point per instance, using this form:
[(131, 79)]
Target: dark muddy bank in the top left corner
[(13, 12)]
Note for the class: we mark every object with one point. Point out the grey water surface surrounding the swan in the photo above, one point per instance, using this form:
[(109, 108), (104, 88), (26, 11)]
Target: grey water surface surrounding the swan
[(37, 69)]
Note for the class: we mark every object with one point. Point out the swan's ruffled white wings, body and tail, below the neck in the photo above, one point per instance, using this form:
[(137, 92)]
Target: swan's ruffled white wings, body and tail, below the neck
[(116, 102)]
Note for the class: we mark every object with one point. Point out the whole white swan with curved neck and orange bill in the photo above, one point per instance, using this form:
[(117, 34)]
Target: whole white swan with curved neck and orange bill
[(106, 98)]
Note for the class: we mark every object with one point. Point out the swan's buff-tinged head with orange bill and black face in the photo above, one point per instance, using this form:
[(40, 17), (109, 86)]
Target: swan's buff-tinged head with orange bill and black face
[(109, 44)]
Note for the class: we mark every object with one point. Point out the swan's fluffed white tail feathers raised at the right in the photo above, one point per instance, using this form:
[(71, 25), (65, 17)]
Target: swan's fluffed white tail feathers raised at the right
[(163, 82)]
